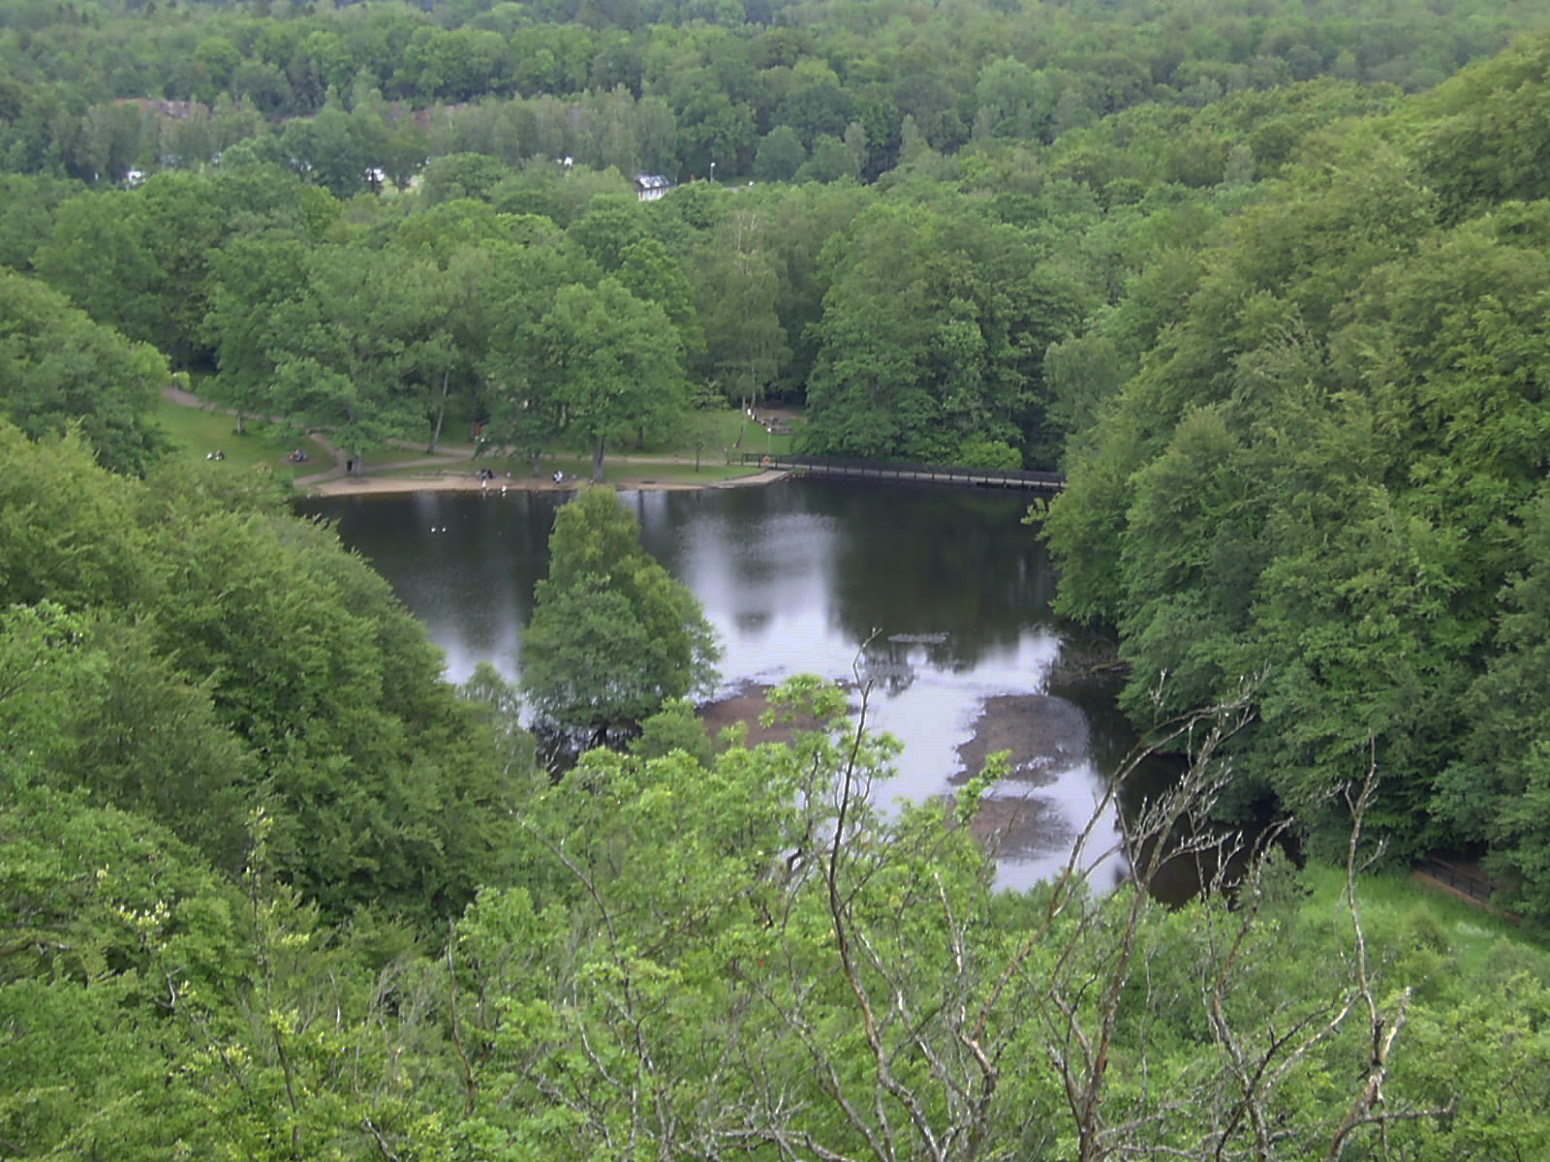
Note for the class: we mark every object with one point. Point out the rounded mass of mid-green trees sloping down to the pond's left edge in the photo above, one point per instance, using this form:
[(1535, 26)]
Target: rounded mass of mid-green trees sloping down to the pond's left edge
[(221, 611)]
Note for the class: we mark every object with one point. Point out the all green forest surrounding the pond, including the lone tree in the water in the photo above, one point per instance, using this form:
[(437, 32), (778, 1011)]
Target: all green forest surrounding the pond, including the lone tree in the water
[(1262, 280)]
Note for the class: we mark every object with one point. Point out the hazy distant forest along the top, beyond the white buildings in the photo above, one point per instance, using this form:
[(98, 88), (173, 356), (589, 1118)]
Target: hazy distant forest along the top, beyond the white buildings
[(95, 89)]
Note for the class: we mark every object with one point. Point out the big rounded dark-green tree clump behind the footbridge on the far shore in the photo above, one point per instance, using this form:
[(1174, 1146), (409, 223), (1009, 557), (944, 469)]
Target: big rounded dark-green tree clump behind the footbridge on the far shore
[(934, 334)]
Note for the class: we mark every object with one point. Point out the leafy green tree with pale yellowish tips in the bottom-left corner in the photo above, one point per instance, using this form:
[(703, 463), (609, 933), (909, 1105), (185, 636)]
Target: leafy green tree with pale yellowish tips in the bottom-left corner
[(114, 927)]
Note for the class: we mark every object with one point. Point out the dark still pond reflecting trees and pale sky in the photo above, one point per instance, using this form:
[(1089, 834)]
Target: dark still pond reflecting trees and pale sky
[(951, 590)]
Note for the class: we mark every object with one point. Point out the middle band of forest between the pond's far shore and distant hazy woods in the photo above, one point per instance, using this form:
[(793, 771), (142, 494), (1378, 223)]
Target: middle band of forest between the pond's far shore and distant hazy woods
[(914, 315)]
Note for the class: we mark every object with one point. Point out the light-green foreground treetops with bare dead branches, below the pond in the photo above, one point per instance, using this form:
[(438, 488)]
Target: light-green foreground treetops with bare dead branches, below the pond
[(799, 923)]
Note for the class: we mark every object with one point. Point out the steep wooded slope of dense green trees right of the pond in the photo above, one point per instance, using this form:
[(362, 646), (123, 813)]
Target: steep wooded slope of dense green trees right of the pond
[(1324, 473)]
